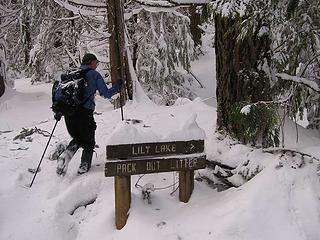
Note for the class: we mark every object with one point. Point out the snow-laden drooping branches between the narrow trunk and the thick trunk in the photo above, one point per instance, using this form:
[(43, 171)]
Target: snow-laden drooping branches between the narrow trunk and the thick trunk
[(164, 50)]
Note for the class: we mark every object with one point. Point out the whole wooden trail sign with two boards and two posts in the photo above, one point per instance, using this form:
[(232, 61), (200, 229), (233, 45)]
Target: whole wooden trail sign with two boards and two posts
[(145, 158)]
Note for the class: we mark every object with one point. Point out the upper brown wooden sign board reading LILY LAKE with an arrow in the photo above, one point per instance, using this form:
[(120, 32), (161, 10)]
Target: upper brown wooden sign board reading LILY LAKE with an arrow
[(153, 149)]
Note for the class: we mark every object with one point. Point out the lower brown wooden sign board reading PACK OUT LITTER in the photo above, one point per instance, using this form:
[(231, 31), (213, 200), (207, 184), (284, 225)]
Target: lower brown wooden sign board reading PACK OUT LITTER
[(133, 167)]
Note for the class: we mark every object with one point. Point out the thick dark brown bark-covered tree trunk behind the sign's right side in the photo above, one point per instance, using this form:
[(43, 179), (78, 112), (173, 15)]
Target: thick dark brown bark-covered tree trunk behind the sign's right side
[(242, 42)]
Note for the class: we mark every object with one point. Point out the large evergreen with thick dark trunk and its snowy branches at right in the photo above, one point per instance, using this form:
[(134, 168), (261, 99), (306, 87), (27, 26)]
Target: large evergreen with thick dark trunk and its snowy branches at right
[(255, 40)]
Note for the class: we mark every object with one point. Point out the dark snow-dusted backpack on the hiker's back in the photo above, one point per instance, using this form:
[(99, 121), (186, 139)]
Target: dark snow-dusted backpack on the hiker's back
[(68, 93)]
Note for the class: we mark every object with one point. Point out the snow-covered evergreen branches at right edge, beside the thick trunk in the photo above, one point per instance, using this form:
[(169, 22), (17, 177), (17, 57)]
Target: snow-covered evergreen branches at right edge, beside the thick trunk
[(296, 53)]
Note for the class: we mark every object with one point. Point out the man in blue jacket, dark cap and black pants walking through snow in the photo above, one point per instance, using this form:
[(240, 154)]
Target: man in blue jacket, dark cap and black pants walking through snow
[(81, 125)]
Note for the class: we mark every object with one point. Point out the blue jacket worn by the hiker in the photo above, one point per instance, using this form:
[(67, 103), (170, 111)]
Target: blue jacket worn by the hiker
[(95, 82)]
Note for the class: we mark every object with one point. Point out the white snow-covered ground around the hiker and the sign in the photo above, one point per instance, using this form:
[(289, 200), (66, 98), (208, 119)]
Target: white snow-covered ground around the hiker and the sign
[(280, 201)]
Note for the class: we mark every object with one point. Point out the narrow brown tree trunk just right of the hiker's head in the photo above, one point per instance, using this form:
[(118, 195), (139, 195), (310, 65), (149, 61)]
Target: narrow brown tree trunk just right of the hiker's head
[(117, 50)]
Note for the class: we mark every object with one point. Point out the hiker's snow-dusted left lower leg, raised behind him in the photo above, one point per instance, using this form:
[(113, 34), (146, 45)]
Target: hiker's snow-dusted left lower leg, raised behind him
[(65, 158)]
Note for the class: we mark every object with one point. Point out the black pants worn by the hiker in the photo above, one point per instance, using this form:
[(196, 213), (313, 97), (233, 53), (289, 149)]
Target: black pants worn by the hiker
[(81, 127)]
